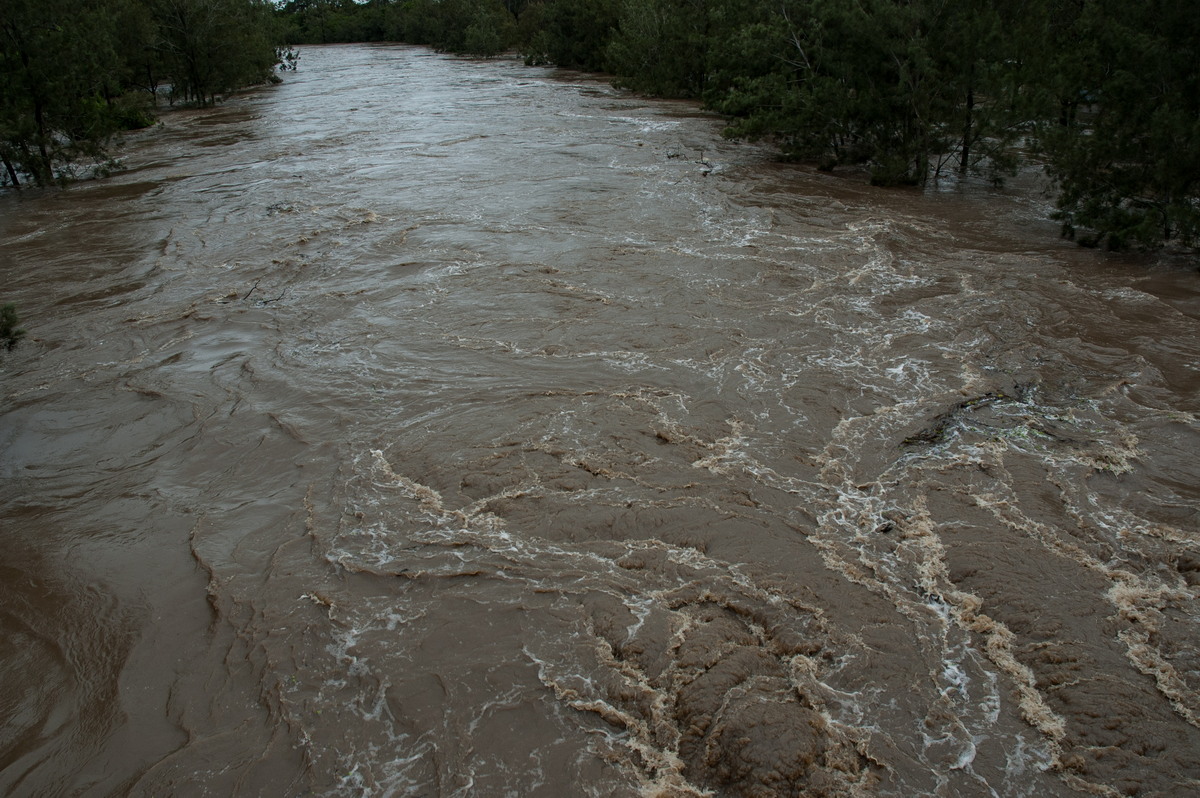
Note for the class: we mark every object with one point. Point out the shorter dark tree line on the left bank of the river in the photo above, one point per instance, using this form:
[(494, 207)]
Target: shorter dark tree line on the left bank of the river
[(74, 73)]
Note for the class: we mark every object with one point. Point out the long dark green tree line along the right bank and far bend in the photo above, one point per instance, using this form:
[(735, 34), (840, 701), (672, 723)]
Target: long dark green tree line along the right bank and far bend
[(1103, 94)]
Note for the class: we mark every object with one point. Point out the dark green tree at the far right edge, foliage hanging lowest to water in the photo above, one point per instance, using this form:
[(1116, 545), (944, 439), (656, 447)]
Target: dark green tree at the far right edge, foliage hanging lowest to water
[(1125, 149)]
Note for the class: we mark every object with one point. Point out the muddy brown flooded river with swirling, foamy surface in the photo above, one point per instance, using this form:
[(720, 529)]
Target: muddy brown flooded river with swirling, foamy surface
[(424, 427)]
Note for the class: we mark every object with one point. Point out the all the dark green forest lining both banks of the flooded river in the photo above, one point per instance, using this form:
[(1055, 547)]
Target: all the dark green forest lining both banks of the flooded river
[(1105, 94)]
